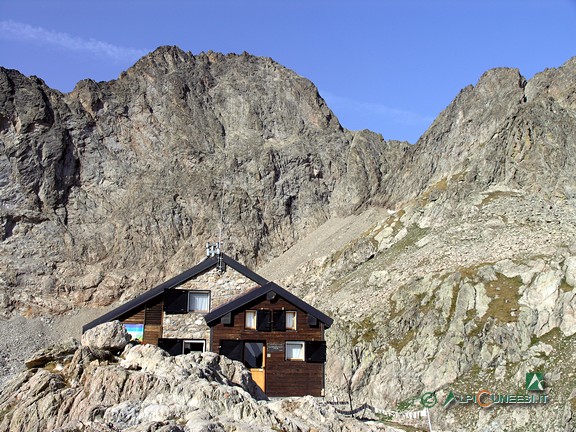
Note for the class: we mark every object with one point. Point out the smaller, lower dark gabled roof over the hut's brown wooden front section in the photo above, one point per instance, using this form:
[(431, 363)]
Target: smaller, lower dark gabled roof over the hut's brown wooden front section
[(242, 300)]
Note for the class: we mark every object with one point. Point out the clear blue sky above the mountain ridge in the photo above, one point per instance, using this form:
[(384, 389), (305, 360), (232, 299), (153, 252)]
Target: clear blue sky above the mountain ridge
[(388, 66)]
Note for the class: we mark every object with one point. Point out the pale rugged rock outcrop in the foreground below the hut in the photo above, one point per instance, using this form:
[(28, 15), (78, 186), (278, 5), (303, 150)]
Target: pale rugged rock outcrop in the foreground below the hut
[(145, 389)]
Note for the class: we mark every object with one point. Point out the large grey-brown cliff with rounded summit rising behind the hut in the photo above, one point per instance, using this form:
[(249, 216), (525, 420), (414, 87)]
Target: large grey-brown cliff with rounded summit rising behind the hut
[(117, 185)]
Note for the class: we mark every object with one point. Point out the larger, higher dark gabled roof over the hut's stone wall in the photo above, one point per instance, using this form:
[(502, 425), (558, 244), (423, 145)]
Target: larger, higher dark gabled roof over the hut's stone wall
[(183, 277)]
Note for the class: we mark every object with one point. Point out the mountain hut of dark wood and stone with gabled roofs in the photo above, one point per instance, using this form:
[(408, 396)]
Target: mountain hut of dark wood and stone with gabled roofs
[(220, 305)]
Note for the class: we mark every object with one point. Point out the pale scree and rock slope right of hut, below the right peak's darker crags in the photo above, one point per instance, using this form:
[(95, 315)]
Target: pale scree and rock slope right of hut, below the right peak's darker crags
[(463, 304)]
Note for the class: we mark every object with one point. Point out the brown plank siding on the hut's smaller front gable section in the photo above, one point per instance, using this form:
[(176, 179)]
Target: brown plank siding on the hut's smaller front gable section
[(283, 377)]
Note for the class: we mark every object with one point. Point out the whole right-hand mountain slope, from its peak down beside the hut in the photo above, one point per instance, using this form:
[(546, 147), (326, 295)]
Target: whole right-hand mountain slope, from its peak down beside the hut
[(469, 284)]
